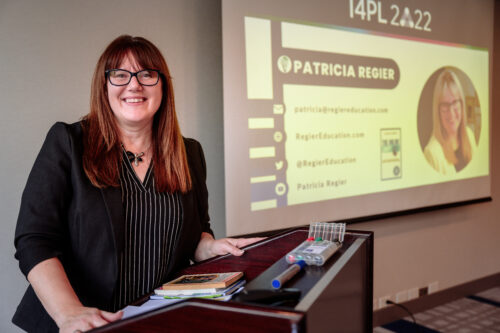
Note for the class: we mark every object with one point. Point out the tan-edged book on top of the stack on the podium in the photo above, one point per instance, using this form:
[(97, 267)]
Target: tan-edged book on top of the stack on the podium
[(201, 283)]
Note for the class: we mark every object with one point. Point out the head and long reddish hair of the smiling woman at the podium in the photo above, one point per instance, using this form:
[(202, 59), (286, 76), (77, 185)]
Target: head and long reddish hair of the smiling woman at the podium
[(138, 117)]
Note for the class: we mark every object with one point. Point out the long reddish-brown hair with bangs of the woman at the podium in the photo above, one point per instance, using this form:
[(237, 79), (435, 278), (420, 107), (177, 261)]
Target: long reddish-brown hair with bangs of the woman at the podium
[(102, 147)]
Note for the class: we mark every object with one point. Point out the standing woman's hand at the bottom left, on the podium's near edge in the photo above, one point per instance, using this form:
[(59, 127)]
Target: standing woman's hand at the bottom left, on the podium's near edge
[(82, 319)]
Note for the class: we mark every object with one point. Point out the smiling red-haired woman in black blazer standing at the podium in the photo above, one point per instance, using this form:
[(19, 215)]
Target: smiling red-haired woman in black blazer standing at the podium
[(114, 203)]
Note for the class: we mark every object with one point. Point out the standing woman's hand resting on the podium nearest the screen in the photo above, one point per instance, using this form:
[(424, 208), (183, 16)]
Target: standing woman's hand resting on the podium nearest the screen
[(209, 247)]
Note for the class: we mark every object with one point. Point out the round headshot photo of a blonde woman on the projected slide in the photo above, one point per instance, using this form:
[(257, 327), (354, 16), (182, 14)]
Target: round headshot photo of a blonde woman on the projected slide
[(448, 120)]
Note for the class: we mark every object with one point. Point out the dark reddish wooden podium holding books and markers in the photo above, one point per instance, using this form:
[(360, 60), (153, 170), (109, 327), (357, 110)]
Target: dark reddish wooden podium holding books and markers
[(336, 297)]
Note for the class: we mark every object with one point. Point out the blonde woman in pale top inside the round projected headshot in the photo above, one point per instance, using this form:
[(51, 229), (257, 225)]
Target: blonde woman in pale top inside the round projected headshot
[(452, 143)]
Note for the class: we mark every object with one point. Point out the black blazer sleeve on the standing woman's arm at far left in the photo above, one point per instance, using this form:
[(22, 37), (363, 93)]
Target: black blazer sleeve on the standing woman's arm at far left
[(41, 231)]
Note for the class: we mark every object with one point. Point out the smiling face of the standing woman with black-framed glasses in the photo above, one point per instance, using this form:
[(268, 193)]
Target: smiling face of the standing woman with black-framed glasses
[(134, 105)]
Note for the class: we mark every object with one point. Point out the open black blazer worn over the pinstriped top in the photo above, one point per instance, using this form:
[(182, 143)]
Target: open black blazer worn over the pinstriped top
[(63, 215)]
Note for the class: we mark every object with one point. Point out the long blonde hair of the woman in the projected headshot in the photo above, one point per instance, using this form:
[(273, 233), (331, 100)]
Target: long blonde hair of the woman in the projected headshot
[(449, 80)]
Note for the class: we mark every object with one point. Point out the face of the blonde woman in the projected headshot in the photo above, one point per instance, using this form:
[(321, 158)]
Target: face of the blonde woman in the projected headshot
[(450, 111)]
